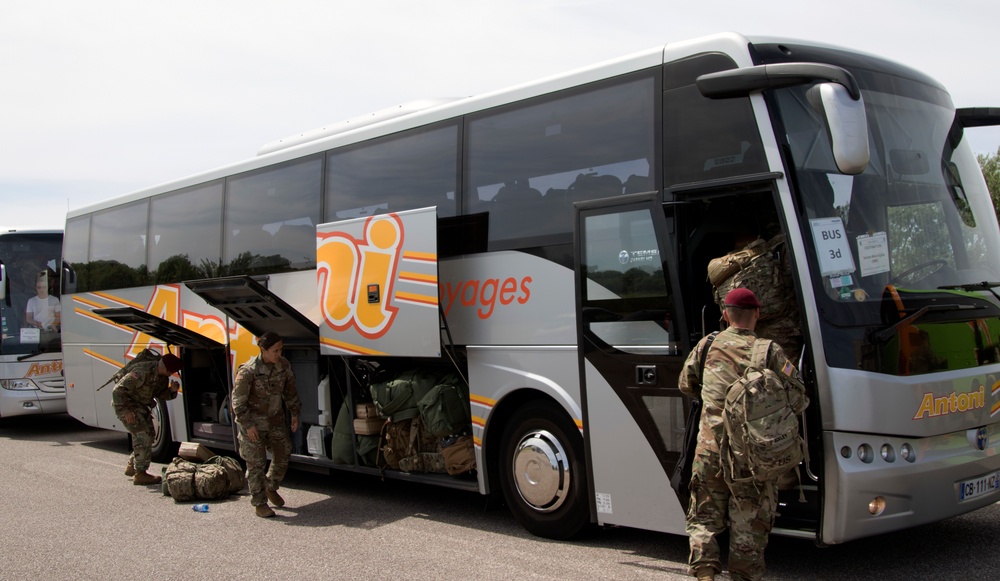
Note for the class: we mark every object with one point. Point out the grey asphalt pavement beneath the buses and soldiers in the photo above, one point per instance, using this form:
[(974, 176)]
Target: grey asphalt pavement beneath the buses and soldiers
[(68, 512)]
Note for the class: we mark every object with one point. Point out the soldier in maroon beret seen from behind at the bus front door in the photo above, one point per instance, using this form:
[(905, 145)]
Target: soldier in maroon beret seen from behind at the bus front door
[(749, 507)]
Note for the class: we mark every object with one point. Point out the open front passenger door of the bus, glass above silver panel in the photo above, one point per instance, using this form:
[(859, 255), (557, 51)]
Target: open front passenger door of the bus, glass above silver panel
[(630, 357)]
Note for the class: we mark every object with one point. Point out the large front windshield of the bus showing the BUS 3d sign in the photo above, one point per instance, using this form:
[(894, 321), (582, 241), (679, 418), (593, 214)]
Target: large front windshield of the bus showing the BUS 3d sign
[(918, 218)]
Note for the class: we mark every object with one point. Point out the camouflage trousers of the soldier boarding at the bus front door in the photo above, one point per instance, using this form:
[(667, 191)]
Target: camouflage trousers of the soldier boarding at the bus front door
[(749, 509)]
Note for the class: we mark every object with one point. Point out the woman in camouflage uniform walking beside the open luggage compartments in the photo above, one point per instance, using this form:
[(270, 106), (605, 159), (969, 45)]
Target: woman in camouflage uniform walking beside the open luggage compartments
[(261, 385)]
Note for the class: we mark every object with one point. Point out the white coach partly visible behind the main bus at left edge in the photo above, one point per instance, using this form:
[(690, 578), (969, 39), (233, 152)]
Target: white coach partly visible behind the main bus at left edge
[(31, 380)]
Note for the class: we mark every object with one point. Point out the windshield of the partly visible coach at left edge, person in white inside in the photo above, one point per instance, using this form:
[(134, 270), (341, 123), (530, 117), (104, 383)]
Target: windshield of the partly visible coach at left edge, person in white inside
[(30, 311)]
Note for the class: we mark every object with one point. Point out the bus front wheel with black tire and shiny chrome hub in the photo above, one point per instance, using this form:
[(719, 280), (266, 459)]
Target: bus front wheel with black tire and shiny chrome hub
[(542, 472)]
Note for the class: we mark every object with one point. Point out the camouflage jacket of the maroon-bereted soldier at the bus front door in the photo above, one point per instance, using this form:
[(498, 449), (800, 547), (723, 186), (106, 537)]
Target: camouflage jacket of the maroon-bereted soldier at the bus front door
[(727, 359)]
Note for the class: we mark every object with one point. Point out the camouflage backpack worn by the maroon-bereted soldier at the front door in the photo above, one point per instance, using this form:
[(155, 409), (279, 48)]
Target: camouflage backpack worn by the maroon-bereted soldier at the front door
[(761, 439)]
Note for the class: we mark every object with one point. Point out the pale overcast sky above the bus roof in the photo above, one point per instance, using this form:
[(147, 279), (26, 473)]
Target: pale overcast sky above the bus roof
[(99, 98)]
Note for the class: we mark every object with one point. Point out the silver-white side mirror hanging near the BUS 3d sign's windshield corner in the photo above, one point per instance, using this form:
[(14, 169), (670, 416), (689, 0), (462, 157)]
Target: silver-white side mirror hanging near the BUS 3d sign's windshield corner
[(846, 124)]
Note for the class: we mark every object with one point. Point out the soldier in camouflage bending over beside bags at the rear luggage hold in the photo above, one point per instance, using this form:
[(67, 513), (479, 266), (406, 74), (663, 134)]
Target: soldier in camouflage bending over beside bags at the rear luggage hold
[(133, 398)]
